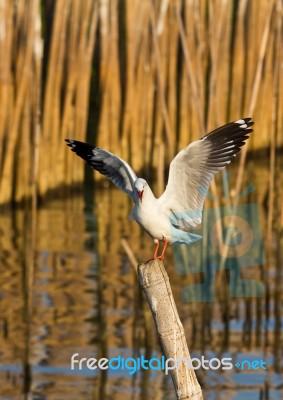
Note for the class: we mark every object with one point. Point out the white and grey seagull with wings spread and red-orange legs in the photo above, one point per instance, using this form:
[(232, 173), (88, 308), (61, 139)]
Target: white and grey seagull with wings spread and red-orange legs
[(172, 217)]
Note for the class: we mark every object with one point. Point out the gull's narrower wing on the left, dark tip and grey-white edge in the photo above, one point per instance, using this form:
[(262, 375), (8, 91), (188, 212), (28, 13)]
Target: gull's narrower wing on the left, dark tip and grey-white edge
[(109, 165)]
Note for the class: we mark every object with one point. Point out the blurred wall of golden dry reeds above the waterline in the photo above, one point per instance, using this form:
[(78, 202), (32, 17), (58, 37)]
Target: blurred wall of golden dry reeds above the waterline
[(138, 77)]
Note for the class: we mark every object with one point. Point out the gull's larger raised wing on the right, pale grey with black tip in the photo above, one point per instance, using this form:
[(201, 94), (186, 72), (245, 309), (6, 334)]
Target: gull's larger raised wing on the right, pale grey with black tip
[(193, 169)]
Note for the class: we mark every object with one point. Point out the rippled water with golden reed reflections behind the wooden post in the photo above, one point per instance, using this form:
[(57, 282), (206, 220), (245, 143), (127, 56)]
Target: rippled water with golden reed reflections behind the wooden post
[(82, 296)]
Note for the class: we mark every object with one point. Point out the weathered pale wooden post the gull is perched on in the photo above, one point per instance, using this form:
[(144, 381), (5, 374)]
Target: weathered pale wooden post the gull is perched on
[(155, 283)]
